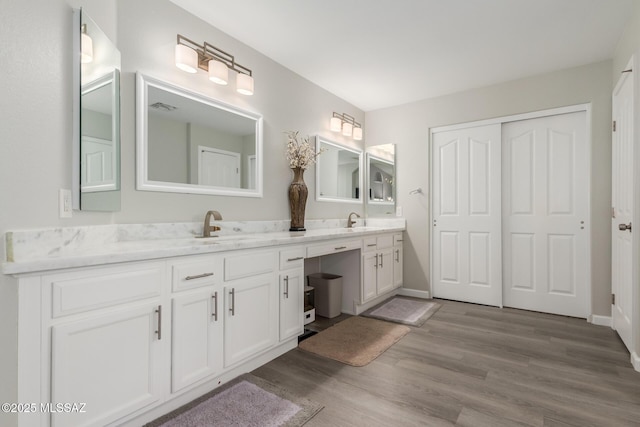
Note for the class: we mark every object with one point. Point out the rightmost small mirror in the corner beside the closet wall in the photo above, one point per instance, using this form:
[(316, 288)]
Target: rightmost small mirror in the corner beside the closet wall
[(380, 179)]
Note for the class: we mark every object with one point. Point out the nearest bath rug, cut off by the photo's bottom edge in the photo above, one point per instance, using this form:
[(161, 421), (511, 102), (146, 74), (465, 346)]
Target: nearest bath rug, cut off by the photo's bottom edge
[(246, 401)]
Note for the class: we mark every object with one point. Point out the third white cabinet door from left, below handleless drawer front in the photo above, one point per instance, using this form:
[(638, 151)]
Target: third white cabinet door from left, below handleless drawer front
[(251, 317)]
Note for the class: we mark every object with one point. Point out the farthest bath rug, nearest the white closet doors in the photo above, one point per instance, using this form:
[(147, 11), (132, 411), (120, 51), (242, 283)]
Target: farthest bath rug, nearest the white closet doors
[(407, 311)]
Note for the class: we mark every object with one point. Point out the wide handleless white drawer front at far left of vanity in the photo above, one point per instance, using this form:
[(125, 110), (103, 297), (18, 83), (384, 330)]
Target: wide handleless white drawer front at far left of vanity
[(80, 291)]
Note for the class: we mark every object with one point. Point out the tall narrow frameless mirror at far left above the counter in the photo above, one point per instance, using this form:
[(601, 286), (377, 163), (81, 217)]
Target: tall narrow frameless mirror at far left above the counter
[(96, 151)]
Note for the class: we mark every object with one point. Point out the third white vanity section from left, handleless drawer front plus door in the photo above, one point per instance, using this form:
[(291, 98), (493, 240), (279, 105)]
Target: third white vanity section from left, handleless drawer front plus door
[(251, 304)]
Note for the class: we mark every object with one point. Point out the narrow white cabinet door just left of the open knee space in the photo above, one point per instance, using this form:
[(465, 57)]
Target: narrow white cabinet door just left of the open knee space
[(291, 303)]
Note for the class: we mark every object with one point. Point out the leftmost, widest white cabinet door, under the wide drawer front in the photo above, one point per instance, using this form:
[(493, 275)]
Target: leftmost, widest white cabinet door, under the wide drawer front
[(110, 362)]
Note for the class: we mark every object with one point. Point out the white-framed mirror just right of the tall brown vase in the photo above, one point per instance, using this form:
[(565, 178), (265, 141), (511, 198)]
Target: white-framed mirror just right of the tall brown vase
[(338, 172)]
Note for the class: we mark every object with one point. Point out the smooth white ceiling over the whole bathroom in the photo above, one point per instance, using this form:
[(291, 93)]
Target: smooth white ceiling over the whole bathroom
[(379, 53)]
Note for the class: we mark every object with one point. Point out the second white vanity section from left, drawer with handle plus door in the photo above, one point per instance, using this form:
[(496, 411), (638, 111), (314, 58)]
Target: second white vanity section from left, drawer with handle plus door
[(196, 320)]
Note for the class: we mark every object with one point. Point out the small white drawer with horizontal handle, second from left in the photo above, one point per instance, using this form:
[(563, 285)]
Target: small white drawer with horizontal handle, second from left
[(190, 274)]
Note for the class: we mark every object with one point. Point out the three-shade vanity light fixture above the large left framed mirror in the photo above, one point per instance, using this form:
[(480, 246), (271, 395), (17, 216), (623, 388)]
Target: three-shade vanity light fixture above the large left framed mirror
[(190, 56)]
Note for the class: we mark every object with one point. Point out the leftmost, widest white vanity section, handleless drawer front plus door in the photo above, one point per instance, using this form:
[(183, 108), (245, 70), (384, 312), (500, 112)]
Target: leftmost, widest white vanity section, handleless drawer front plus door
[(106, 330)]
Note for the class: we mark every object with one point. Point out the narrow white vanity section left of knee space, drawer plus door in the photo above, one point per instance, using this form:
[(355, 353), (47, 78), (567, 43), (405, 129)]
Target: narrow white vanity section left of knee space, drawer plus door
[(291, 292)]
